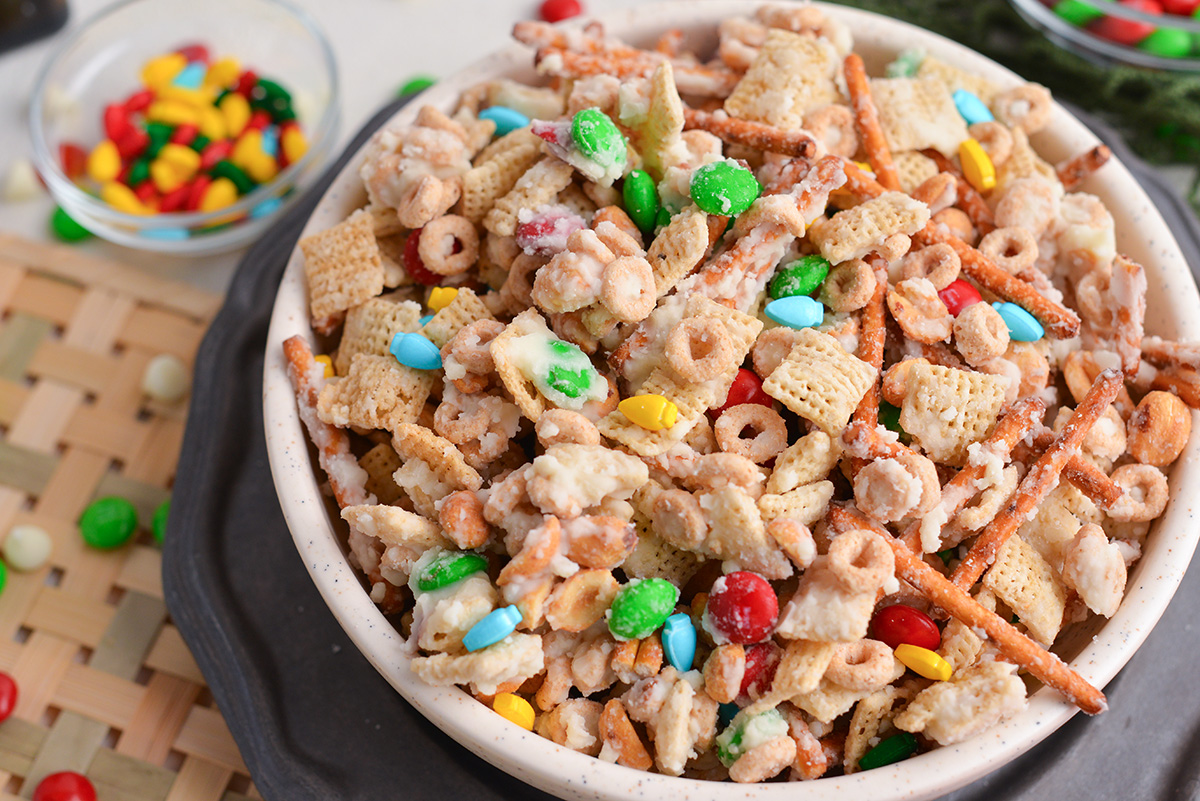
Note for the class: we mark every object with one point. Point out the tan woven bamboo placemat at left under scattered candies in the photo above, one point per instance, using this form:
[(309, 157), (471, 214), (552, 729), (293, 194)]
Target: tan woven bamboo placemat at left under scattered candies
[(107, 686)]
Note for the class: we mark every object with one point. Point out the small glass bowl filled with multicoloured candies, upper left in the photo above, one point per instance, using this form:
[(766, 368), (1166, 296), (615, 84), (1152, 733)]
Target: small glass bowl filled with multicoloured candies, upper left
[(119, 113)]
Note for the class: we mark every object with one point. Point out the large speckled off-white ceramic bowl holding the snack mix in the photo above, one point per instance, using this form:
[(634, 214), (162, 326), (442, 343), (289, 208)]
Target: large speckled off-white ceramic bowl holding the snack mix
[(1173, 302)]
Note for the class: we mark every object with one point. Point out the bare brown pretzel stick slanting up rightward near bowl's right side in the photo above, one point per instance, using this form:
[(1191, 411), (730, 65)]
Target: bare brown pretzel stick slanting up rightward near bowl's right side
[(1041, 479)]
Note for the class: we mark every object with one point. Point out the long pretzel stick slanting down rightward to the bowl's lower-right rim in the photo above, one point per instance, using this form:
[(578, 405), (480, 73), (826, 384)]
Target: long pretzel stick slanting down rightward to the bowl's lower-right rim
[(1013, 645)]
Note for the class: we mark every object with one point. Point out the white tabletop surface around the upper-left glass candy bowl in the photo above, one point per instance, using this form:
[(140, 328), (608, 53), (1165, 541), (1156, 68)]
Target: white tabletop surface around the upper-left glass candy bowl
[(380, 46)]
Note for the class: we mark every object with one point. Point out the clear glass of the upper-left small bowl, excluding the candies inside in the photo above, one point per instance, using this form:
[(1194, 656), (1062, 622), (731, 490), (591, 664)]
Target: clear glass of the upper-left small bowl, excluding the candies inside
[(101, 64)]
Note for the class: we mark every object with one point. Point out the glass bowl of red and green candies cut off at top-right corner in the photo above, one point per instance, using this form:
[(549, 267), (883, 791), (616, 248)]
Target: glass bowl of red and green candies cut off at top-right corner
[(1155, 34)]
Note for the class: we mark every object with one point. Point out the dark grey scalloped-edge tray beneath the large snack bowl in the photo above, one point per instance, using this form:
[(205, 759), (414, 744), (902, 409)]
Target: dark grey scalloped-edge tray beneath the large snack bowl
[(316, 722)]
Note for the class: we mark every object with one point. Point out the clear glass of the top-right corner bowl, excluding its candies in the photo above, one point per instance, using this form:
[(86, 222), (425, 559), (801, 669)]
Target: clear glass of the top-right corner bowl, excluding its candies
[(1102, 51)]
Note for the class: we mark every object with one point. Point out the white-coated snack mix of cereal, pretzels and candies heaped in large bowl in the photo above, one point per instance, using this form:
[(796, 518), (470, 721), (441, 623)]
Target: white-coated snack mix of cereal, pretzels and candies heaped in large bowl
[(739, 419)]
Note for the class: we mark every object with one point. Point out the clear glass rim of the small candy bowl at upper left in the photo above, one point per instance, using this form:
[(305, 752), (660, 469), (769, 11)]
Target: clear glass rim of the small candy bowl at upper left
[(71, 195)]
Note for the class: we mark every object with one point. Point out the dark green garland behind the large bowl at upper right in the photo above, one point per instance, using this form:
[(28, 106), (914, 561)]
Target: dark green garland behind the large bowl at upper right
[(1157, 112)]
